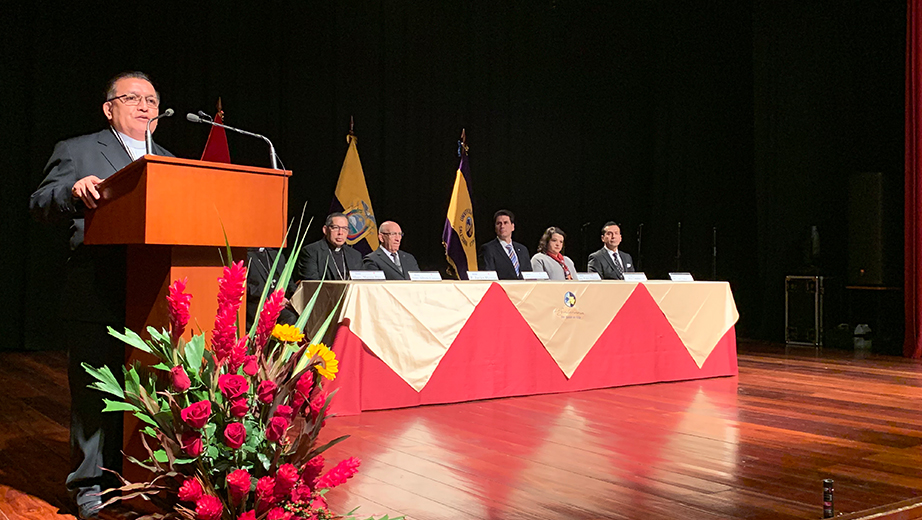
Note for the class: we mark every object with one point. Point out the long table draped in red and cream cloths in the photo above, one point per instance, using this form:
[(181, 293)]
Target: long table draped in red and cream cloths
[(402, 344)]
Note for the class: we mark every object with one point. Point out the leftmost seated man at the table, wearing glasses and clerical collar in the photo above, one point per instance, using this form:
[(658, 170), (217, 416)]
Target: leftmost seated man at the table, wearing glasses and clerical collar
[(329, 258)]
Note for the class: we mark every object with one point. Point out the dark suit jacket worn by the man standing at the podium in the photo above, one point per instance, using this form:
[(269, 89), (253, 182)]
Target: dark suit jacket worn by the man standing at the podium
[(94, 285)]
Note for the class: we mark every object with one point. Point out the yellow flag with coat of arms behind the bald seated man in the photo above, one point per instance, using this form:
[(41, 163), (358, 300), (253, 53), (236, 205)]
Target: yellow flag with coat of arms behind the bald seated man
[(351, 198)]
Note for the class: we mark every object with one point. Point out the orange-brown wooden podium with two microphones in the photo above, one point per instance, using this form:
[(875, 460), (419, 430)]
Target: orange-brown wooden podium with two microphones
[(169, 213)]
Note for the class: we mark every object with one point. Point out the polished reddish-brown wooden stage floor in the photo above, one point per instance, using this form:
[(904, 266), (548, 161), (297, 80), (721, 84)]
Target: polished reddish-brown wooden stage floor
[(748, 447)]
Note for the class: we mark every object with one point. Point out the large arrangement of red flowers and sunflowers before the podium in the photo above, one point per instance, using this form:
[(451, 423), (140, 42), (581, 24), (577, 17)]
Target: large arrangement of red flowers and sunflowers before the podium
[(231, 431)]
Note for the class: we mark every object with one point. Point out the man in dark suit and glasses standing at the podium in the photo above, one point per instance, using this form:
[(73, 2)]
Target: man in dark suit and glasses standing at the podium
[(93, 294)]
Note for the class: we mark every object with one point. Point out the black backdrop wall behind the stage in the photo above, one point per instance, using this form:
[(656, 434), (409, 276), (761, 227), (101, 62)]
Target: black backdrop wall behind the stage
[(742, 116)]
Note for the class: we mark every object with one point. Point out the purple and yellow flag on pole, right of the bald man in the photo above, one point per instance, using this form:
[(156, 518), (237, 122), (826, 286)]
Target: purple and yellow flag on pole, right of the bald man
[(458, 233)]
